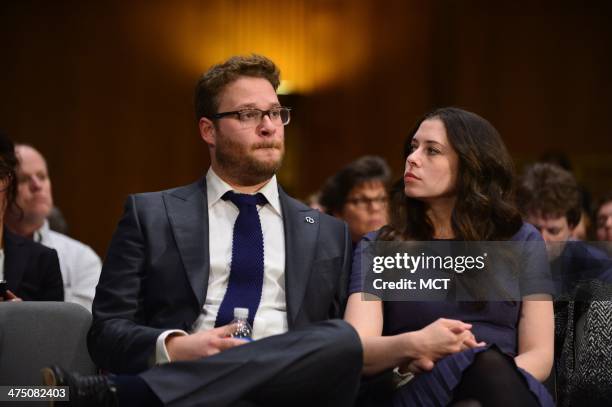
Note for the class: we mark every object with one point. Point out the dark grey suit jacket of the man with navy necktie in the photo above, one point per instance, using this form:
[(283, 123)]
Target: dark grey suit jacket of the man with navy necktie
[(155, 274)]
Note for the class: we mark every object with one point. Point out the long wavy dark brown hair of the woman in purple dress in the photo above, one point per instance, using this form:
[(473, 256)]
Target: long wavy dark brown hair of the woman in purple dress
[(485, 208)]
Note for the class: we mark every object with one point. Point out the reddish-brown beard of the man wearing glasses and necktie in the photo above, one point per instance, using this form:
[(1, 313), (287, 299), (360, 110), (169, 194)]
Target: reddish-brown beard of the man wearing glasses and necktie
[(238, 162)]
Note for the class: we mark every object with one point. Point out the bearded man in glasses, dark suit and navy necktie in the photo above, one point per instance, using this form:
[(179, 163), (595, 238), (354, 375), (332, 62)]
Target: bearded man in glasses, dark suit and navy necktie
[(182, 259)]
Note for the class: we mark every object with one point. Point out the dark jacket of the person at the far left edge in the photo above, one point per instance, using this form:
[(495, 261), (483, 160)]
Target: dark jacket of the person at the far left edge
[(31, 270)]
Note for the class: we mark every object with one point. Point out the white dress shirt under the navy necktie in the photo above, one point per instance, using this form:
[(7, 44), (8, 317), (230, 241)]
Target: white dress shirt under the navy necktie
[(271, 316)]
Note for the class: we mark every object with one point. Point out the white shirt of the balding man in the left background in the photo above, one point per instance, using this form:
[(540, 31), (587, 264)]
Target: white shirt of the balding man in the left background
[(79, 264)]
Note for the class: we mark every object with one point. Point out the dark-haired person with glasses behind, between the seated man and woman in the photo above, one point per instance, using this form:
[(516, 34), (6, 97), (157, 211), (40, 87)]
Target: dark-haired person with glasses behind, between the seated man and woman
[(357, 194)]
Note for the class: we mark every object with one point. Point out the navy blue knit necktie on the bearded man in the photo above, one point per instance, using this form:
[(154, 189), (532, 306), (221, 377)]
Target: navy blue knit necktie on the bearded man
[(246, 273)]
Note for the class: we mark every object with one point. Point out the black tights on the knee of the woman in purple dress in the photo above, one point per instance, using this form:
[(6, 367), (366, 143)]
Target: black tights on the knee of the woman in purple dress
[(492, 380)]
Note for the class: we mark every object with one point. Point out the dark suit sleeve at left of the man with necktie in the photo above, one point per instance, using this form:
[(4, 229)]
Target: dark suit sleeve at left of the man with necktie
[(119, 340)]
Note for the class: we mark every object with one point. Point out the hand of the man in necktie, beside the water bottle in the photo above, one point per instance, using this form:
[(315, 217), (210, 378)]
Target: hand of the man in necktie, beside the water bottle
[(201, 344)]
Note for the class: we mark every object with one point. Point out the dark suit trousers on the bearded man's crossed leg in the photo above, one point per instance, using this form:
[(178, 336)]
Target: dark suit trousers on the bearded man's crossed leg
[(317, 365)]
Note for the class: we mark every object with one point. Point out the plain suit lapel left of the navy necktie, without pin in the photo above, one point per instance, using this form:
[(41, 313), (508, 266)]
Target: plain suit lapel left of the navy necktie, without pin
[(187, 210)]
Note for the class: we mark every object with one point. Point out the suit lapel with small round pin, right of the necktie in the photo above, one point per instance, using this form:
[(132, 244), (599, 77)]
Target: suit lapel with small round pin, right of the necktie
[(301, 230)]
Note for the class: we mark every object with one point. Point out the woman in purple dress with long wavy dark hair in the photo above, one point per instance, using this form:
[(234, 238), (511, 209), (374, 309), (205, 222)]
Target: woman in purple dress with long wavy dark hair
[(458, 186)]
